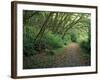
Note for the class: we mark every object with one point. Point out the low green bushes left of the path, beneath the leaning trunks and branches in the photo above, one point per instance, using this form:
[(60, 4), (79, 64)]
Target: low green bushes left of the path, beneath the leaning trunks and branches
[(47, 43)]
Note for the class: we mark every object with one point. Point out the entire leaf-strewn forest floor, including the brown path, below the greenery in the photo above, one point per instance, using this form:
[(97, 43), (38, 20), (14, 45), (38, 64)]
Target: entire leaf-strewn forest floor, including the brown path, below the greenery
[(70, 56)]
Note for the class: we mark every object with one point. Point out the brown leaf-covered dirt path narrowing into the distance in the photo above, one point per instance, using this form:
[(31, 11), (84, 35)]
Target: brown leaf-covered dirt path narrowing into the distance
[(70, 56)]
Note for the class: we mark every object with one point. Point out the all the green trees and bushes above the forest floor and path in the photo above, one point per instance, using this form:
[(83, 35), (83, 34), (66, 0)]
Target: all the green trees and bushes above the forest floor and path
[(47, 32)]
